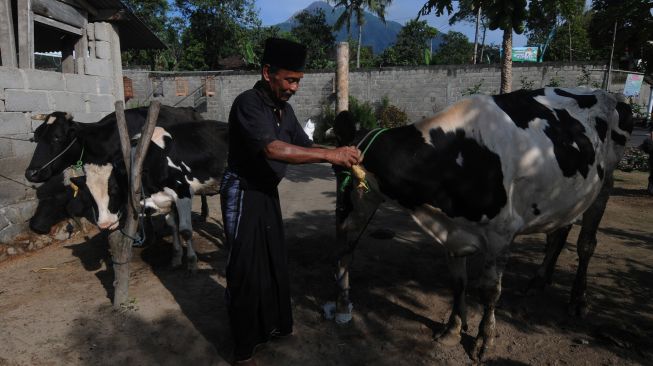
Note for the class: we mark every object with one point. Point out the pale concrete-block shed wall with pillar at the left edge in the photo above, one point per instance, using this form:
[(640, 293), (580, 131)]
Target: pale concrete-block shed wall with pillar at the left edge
[(89, 95)]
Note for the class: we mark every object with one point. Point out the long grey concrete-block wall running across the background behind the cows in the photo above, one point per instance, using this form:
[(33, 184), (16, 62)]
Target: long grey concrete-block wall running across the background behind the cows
[(420, 91)]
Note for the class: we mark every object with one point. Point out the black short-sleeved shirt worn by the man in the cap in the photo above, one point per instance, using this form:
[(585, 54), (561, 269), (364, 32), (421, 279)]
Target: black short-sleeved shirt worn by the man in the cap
[(255, 120)]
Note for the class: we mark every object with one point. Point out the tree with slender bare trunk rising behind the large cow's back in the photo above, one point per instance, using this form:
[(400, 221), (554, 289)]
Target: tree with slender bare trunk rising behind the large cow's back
[(507, 15)]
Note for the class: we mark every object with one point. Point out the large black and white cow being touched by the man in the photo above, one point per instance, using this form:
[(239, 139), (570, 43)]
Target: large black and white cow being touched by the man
[(485, 170)]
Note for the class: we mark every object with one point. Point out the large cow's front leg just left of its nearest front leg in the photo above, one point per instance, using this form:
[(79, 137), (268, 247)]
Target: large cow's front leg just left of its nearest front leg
[(458, 319)]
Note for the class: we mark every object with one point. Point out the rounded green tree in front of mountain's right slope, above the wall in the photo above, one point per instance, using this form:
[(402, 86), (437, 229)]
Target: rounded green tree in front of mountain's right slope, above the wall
[(411, 42)]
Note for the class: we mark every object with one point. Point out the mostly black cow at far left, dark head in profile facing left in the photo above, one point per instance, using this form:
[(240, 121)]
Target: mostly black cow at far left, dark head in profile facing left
[(63, 142)]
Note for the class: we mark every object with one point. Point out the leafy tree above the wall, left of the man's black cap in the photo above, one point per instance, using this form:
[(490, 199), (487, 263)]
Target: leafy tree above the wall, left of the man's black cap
[(216, 29)]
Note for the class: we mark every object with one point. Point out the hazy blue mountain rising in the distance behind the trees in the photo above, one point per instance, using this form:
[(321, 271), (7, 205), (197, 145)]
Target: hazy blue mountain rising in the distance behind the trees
[(375, 32)]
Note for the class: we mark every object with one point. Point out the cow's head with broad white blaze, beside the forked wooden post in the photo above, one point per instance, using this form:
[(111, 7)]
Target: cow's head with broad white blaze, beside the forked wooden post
[(106, 186)]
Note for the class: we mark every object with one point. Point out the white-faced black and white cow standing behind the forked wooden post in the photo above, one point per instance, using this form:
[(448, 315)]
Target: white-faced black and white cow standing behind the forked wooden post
[(183, 160)]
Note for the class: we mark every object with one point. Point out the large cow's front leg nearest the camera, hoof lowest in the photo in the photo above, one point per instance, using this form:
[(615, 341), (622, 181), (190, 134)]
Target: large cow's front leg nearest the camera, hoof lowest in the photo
[(490, 293)]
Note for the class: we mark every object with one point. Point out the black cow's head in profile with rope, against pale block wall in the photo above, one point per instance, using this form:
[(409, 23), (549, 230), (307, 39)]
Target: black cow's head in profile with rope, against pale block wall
[(56, 146)]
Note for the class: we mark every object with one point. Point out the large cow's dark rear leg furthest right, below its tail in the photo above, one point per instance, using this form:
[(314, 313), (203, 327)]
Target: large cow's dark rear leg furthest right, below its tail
[(585, 246)]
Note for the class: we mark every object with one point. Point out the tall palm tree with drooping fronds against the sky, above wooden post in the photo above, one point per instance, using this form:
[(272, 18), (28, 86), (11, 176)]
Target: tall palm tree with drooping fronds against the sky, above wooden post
[(357, 8)]
